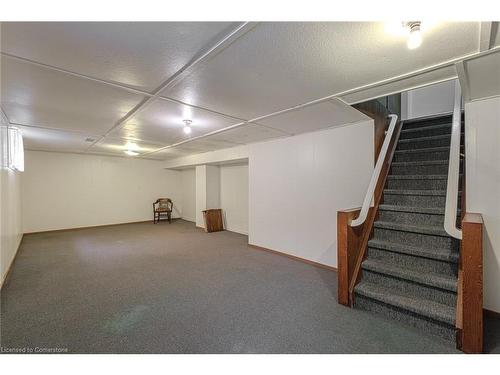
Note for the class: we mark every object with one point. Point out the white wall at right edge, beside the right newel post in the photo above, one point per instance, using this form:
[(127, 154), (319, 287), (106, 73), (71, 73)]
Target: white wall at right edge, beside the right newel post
[(482, 134)]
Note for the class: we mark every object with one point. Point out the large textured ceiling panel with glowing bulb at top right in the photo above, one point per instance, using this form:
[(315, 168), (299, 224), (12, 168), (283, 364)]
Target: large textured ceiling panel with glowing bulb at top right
[(277, 65)]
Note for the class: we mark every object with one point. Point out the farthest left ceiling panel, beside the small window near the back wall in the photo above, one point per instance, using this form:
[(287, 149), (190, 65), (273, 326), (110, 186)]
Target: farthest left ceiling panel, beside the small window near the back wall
[(54, 140)]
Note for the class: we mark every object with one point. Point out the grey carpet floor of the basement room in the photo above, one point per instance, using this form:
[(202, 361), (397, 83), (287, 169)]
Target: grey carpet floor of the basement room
[(144, 288)]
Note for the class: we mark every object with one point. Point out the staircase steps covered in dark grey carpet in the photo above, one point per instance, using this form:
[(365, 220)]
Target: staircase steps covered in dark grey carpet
[(410, 271)]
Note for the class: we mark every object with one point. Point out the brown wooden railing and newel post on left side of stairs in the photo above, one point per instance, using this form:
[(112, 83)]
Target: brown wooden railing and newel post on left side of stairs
[(352, 242)]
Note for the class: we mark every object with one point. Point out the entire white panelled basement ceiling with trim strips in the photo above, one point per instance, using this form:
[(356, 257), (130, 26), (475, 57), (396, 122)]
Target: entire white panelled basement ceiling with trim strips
[(99, 87)]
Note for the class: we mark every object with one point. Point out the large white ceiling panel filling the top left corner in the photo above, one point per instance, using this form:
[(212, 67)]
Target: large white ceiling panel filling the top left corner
[(138, 54)]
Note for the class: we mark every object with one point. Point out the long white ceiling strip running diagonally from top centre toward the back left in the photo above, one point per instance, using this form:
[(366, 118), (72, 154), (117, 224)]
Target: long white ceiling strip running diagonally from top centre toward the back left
[(181, 73)]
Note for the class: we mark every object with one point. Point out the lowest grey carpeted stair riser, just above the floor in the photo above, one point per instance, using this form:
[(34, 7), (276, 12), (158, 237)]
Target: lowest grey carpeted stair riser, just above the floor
[(422, 323)]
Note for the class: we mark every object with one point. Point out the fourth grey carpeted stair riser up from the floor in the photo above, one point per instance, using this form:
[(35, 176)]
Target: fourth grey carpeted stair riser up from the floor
[(416, 239)]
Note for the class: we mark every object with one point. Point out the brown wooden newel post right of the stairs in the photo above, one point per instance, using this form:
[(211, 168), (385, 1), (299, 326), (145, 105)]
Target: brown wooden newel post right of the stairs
[(469, 321)]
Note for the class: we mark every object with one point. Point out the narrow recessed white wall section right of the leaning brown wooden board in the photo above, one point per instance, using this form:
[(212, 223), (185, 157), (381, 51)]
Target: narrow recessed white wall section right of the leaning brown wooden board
[(234, 197)]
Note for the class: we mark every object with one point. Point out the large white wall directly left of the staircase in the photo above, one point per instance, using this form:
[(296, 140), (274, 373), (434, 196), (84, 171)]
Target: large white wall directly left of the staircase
[(297, 185)]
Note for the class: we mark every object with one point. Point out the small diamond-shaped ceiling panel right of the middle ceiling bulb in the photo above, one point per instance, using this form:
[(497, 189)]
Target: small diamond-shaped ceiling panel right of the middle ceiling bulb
[(248, 133)]
